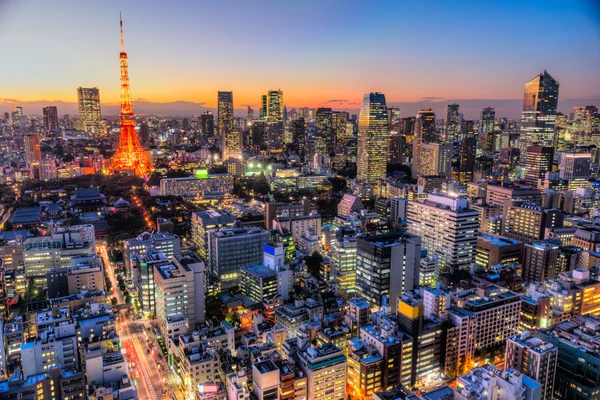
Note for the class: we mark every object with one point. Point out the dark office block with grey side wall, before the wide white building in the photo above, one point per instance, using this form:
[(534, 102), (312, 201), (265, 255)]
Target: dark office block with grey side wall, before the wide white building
[(386, 266)]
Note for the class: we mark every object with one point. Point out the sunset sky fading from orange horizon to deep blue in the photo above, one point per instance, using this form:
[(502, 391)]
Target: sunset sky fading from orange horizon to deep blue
[(316, 51)]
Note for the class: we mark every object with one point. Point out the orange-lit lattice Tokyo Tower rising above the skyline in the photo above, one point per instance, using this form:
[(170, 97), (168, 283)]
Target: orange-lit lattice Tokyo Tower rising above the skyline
[(130, 156)]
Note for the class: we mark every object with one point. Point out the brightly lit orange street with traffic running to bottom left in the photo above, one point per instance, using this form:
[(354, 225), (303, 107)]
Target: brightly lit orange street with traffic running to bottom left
[(135, 337)]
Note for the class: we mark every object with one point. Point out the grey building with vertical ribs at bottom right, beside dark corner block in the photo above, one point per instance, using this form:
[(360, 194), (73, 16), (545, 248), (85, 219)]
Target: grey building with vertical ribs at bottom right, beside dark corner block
[(534, 358)]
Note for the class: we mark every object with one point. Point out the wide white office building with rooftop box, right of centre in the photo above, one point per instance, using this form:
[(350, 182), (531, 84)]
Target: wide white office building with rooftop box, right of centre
[(448, 229)]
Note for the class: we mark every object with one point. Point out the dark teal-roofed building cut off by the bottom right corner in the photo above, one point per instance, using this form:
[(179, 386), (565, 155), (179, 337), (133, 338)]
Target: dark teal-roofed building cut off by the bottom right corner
[(576, 376)]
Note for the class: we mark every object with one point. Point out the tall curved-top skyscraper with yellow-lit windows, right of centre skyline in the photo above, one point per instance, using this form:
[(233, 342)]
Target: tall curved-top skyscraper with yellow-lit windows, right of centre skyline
[(372, 139)]
